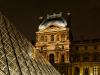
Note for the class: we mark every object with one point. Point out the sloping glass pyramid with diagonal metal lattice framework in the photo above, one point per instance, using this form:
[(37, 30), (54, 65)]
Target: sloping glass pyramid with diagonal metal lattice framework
[(18, 56)]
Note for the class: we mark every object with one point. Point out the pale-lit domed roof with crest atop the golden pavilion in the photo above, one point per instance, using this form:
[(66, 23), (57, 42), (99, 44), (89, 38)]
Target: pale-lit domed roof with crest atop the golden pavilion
[(55, 19)]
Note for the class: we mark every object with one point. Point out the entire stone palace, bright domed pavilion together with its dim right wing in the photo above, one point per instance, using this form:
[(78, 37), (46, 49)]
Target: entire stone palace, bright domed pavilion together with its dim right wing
[(54, 41)]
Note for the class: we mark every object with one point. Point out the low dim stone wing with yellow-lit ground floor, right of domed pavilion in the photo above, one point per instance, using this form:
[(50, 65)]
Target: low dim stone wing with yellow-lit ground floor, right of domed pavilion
[(85, 57)]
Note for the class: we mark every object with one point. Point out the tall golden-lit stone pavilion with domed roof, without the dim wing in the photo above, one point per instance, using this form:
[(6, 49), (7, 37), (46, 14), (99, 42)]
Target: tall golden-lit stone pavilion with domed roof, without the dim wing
[(53, 41)]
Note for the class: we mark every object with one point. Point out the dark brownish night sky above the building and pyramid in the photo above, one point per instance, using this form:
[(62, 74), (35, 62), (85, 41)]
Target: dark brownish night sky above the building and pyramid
[(24, 15)]
